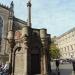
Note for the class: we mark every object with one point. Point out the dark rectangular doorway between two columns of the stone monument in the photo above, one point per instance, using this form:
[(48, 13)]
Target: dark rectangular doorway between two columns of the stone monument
[(35, 64)]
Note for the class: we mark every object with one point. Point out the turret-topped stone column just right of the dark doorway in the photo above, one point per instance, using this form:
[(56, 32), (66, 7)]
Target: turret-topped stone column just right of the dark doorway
[(43, 52)]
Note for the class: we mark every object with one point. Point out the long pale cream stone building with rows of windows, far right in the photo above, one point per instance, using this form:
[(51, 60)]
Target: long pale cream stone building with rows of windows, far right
[(66, 44)]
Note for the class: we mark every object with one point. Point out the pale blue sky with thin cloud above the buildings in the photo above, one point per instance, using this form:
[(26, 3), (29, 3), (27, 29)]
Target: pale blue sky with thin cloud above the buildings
[(57, 16)]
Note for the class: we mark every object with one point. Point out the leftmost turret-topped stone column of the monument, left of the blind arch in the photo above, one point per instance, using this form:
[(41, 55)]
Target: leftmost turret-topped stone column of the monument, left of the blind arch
[(11, 42)]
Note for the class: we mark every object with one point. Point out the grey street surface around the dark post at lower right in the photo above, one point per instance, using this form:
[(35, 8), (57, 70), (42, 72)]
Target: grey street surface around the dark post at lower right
[(65, 69)]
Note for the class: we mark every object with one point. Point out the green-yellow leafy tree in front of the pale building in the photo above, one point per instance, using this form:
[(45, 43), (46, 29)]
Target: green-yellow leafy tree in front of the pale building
[(54, 51)]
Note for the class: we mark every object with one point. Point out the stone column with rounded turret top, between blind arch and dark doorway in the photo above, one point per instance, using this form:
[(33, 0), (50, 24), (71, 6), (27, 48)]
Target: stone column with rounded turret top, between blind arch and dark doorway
[(25, 34)]
